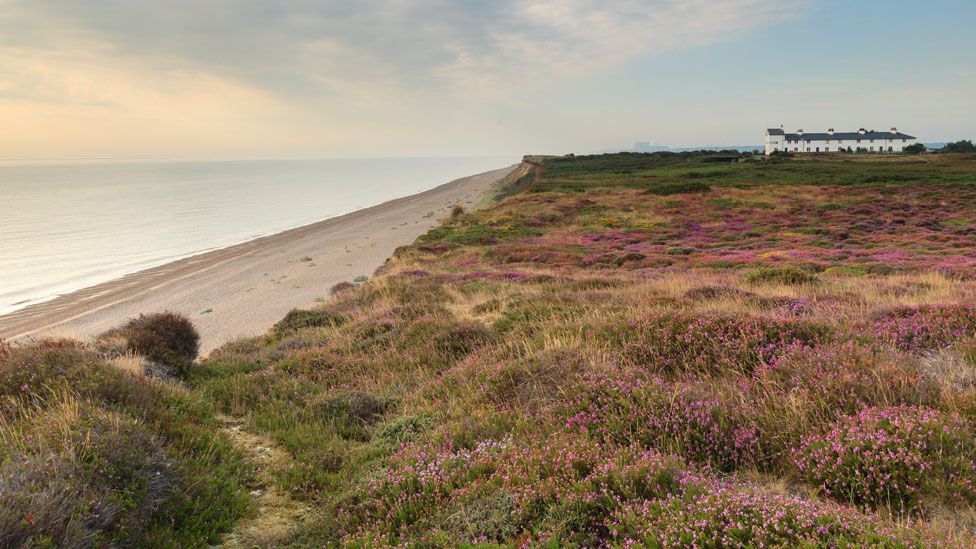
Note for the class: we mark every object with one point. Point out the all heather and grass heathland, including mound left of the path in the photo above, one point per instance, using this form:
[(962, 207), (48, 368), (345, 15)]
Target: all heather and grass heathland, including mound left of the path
[(661, 349)]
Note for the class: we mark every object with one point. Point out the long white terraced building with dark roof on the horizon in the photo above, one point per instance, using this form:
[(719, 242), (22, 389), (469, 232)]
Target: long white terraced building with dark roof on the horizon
[(778, 140)]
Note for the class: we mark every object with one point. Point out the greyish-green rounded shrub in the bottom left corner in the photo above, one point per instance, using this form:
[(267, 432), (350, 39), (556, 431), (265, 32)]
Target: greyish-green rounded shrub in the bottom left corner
[(73, 475)]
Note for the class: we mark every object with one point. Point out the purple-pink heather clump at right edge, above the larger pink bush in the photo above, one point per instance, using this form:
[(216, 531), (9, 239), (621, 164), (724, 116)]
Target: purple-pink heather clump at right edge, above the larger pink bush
[(924, 328)]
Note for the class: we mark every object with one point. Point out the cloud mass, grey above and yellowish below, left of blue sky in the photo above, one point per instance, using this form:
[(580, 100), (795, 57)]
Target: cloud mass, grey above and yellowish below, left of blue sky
[(335, 75)]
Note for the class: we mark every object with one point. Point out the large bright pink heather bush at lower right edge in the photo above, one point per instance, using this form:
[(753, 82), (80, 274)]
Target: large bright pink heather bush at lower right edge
[(892, 456)]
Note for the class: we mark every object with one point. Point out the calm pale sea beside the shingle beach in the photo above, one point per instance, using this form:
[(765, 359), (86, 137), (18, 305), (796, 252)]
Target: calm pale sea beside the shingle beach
[(68, 226)]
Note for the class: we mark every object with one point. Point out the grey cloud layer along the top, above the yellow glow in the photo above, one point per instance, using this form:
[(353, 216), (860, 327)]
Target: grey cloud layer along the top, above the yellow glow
[(303, 47)]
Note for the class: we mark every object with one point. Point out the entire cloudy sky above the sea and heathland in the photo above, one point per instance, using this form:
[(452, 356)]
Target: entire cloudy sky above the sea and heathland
[(252, 78)]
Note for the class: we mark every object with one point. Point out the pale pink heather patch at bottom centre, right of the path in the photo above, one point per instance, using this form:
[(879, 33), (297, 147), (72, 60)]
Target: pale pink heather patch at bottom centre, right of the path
[(562, 486)]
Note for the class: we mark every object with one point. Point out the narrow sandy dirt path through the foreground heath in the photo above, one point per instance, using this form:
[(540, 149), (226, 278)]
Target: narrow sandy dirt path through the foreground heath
[(276, 512)]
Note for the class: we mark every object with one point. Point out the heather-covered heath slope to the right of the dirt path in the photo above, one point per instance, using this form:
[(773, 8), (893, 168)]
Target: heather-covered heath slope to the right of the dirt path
[(651, 317)]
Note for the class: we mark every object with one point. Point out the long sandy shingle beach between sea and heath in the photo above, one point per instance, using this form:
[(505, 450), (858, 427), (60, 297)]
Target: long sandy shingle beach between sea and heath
[(244, 289)]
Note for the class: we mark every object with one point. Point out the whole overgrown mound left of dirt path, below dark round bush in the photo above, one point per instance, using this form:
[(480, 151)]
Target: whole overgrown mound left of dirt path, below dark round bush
[(105, 445)]
